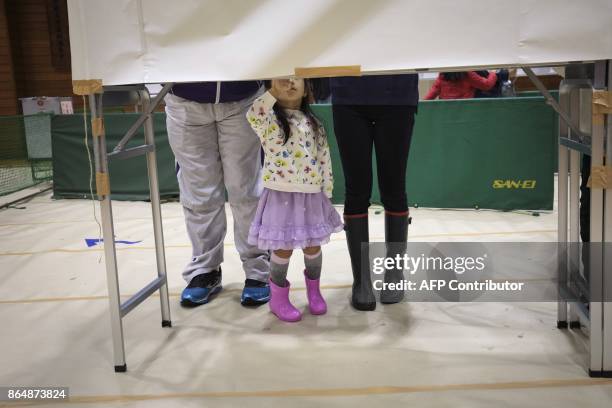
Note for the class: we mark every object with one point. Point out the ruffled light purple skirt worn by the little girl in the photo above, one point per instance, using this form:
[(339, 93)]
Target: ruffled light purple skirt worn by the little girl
[(293, 220)]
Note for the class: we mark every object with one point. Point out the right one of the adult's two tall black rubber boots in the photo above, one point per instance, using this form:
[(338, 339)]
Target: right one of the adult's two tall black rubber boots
[(396, 235)]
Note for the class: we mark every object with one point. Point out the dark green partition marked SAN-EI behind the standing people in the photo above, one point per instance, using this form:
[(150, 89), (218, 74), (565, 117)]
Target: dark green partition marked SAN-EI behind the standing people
[(485, 153)]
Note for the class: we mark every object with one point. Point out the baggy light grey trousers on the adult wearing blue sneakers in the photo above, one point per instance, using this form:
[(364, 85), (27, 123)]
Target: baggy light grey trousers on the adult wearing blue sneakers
[(211, 149)]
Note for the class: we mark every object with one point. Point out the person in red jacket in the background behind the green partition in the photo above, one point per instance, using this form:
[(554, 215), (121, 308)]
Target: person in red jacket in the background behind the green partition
[(460, 85)]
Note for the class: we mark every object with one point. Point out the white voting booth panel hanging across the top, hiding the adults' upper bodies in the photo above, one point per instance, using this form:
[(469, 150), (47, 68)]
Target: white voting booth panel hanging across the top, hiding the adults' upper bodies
[(156, 41)]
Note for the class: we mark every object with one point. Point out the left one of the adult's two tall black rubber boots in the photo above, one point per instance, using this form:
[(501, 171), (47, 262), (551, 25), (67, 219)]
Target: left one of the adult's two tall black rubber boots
[(356, 228)]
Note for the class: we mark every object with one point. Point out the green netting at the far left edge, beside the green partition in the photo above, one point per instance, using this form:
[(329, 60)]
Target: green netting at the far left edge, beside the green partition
[(25, 152)]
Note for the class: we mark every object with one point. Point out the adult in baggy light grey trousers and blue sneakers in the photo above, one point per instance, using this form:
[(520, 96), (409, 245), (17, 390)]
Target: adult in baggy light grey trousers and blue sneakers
[(216, 150)]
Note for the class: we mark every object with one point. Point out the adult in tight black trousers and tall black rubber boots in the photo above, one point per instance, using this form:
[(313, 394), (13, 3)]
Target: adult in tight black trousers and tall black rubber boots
[(374, 112)]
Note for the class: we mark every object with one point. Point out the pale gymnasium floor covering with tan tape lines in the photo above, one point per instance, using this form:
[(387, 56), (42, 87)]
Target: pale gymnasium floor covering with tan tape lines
[(56, 332)]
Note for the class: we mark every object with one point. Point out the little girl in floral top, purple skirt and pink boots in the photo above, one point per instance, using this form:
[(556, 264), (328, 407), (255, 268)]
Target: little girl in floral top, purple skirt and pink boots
[(294, 210)]
